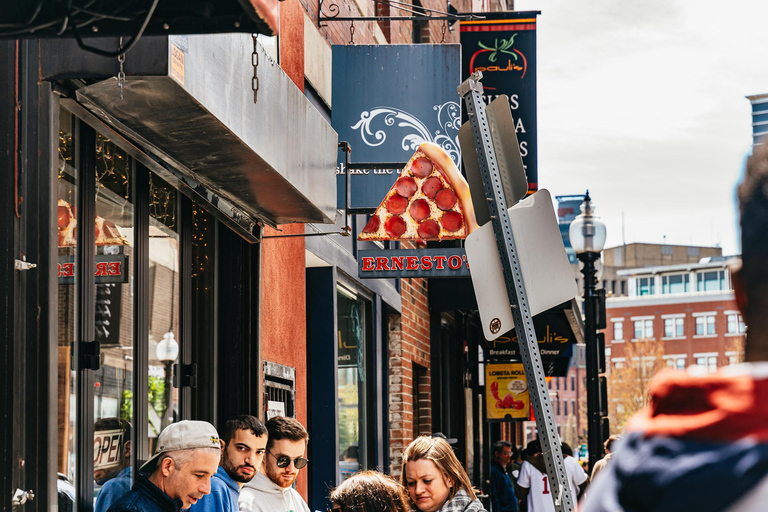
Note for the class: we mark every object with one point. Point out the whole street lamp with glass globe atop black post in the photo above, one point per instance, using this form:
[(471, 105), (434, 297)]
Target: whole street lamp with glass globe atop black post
[(587, 236)]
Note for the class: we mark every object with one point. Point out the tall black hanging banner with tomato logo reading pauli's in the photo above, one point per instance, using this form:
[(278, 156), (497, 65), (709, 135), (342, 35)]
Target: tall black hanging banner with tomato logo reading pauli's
[(503, 47)]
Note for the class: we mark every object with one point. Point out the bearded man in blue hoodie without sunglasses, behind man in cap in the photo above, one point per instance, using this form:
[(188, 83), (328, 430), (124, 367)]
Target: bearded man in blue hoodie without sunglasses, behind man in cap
[(243, 444)]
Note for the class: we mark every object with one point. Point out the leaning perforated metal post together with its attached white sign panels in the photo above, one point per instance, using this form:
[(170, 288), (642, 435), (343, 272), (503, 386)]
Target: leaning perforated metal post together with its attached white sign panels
[(512, 256)]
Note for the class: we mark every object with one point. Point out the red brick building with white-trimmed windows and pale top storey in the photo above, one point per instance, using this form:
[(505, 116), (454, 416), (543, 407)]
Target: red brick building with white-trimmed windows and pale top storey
[(689, 307)]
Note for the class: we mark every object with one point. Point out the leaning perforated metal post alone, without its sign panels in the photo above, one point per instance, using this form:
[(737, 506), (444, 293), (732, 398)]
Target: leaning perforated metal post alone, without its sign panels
[(472, 92)]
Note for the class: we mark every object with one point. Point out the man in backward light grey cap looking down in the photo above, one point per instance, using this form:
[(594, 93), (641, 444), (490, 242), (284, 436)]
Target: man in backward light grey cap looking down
[(179, 473)]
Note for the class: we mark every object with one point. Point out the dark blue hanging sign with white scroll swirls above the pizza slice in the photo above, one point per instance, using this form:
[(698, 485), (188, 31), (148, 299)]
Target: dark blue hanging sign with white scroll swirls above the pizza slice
[(387, 100)]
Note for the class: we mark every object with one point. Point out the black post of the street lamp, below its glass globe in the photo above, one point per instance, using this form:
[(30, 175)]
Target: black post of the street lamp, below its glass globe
[(594, 428)]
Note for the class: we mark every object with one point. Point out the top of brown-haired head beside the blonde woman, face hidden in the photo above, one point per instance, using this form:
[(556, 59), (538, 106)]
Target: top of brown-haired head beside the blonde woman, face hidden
[(370, 491)]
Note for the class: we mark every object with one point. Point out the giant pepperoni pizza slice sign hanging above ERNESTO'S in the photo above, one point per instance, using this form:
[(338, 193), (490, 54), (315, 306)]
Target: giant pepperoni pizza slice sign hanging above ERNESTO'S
[(429, 201)]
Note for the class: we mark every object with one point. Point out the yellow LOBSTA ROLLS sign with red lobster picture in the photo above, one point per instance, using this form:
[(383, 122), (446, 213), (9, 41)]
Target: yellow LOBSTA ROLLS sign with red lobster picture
[(506, 392)]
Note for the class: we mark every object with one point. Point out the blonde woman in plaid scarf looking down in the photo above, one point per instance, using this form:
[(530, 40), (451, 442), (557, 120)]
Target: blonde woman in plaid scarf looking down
[(435, 479)]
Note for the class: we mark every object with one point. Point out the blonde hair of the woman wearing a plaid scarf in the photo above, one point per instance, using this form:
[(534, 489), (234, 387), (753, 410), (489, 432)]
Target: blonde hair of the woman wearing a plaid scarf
[(441, 454)]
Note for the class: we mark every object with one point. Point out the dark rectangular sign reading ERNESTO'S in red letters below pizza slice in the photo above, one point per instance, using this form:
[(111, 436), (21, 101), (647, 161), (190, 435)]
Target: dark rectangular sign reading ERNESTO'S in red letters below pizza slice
[(412, 263)]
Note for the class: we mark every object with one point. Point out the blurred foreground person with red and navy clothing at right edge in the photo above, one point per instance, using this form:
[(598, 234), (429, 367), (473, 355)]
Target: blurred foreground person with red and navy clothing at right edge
[(702, 442)]
